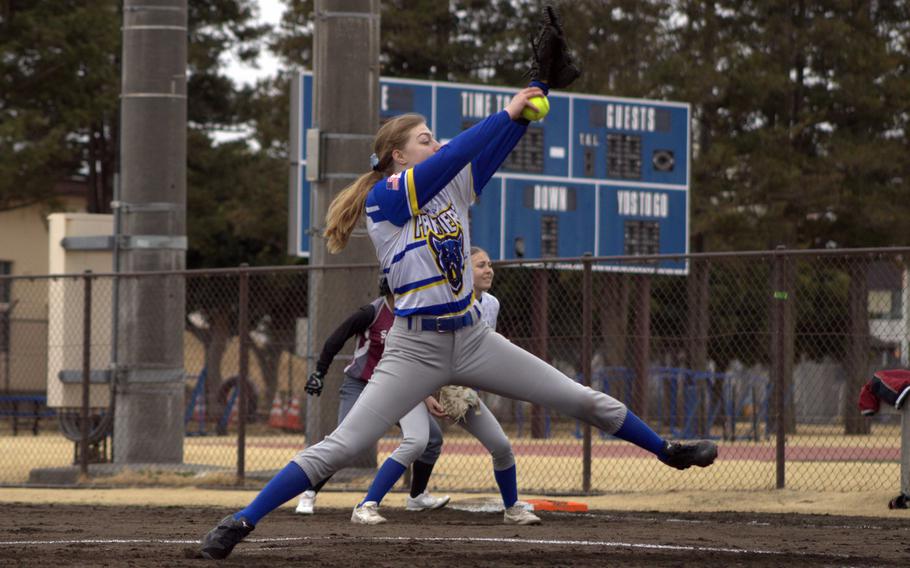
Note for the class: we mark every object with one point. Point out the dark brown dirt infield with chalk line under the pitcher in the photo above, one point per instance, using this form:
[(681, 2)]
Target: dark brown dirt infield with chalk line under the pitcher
[(104, 535)]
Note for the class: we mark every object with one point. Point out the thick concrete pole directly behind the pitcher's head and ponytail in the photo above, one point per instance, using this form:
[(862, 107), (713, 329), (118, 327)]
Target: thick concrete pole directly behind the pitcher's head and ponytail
[(346, 113)]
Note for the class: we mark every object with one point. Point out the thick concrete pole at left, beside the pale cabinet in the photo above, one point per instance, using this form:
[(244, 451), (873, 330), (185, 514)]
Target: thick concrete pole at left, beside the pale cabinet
[(148, 416)]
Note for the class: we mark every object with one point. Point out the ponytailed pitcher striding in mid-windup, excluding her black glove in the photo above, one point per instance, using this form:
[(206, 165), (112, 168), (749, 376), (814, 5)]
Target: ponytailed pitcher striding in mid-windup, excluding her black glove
[(416, 199)]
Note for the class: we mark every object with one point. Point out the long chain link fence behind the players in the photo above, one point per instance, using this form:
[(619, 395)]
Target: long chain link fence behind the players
[(763, 352)]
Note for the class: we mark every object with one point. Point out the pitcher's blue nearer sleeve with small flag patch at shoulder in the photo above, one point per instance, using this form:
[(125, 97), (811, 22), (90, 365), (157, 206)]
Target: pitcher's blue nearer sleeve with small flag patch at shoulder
[(400, 196)]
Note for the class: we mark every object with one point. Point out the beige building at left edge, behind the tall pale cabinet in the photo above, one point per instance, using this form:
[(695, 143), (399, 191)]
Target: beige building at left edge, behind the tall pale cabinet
[(23, 303)]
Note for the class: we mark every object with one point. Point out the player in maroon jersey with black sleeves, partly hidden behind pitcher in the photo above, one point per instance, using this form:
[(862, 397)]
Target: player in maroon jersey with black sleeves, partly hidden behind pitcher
[(421, 436)]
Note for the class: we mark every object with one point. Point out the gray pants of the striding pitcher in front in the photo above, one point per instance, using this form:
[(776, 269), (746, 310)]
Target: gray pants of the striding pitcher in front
[(417, 363)]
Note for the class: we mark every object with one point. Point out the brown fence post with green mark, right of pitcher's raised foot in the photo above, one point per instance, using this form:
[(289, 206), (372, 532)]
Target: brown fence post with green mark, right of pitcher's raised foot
[(780, 296)]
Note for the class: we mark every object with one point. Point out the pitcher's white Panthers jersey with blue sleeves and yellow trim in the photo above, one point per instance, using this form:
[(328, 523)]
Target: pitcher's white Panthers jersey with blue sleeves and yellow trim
[(418, 219)]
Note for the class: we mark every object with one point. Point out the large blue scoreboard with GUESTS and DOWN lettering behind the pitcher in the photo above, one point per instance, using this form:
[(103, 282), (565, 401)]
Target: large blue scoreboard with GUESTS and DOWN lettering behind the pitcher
[(604, 175)]
